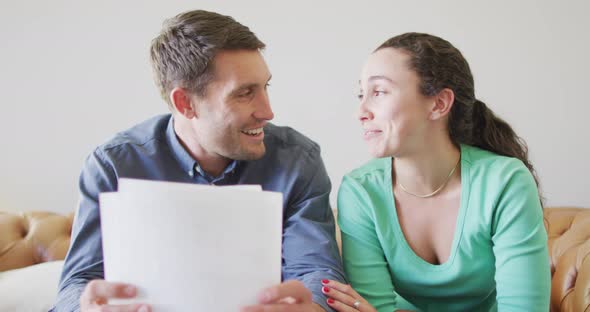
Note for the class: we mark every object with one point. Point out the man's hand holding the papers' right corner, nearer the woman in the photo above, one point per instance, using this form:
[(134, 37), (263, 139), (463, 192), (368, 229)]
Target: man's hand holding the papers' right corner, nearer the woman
[(288, 296)]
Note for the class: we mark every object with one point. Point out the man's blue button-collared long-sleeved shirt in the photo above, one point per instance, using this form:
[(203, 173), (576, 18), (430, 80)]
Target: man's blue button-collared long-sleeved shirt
[(151, 150)]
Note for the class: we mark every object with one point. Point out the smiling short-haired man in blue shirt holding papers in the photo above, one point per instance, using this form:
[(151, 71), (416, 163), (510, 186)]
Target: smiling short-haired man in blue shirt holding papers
[(209, 69)]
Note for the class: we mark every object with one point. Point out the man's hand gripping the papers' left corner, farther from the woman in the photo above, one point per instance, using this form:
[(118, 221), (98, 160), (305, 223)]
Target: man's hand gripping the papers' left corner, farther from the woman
[(98, 292)]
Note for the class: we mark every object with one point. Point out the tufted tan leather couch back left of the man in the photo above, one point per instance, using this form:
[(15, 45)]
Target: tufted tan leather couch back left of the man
[(33, 237)]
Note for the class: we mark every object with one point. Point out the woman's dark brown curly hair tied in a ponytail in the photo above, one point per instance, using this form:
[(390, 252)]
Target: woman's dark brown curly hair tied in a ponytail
[(440, 65)]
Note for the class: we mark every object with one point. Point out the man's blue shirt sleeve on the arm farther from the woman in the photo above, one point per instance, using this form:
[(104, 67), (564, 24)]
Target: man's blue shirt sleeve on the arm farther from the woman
[(84, 261)]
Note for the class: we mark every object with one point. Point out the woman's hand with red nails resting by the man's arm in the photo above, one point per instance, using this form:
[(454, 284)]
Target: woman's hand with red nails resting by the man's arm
[(343, 298)]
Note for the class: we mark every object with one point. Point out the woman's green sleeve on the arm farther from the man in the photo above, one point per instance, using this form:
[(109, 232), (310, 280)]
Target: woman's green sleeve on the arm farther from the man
[(523, 276)]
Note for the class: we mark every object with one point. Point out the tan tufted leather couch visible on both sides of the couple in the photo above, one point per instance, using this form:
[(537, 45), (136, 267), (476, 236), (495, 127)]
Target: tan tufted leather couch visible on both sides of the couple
[(34, 237)]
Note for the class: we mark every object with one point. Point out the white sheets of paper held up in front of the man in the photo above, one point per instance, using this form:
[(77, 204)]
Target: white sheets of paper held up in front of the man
[(189, 247)]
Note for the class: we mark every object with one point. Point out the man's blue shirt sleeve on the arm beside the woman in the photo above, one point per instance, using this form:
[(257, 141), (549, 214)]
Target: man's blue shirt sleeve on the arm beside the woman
[(310, 251)]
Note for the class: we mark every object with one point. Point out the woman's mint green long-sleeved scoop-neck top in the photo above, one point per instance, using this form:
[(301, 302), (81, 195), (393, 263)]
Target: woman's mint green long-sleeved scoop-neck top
[(498, 261)]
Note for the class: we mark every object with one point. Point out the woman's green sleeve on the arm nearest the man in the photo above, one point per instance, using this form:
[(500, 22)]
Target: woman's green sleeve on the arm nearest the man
[(363, 257)]
